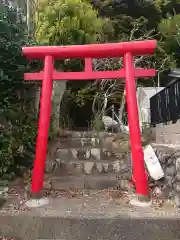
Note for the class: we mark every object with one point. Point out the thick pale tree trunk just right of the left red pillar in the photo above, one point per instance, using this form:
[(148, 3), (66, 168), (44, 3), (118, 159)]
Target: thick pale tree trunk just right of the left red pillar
[(59, 88)]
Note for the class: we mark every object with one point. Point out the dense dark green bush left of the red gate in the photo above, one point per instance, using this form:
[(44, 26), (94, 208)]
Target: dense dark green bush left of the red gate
[(17, 115)]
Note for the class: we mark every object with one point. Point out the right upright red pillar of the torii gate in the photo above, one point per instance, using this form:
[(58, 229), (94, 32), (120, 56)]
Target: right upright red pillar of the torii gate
[(139, 171)]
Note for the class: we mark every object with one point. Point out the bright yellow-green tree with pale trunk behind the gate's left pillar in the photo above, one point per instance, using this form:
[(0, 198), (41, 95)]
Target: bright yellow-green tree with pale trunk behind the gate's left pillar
[(66, 22)]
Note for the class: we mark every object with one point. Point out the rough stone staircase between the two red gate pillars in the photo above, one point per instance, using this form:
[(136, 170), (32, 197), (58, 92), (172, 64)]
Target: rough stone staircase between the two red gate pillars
[(88, 160)]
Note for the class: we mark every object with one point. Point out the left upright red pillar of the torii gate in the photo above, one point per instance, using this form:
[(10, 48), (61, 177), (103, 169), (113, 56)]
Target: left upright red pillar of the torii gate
[(43, 129)]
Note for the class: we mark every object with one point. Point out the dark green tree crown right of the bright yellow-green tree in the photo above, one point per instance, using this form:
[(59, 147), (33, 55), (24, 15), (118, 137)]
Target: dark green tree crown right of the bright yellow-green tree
[(120, 11)]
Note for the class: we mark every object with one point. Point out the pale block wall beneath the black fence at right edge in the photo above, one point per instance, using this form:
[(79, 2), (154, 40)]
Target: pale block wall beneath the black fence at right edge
[(168, 133)]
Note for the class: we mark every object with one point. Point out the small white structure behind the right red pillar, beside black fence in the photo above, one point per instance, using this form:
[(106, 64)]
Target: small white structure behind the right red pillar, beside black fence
[(143, 98)]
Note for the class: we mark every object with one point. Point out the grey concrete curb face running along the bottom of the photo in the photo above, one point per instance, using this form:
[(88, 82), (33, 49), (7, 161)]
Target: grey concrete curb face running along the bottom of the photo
[(34, 227)]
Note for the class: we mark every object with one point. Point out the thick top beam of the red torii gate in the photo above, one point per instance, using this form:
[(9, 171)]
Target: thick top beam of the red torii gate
[(91, 51)]
